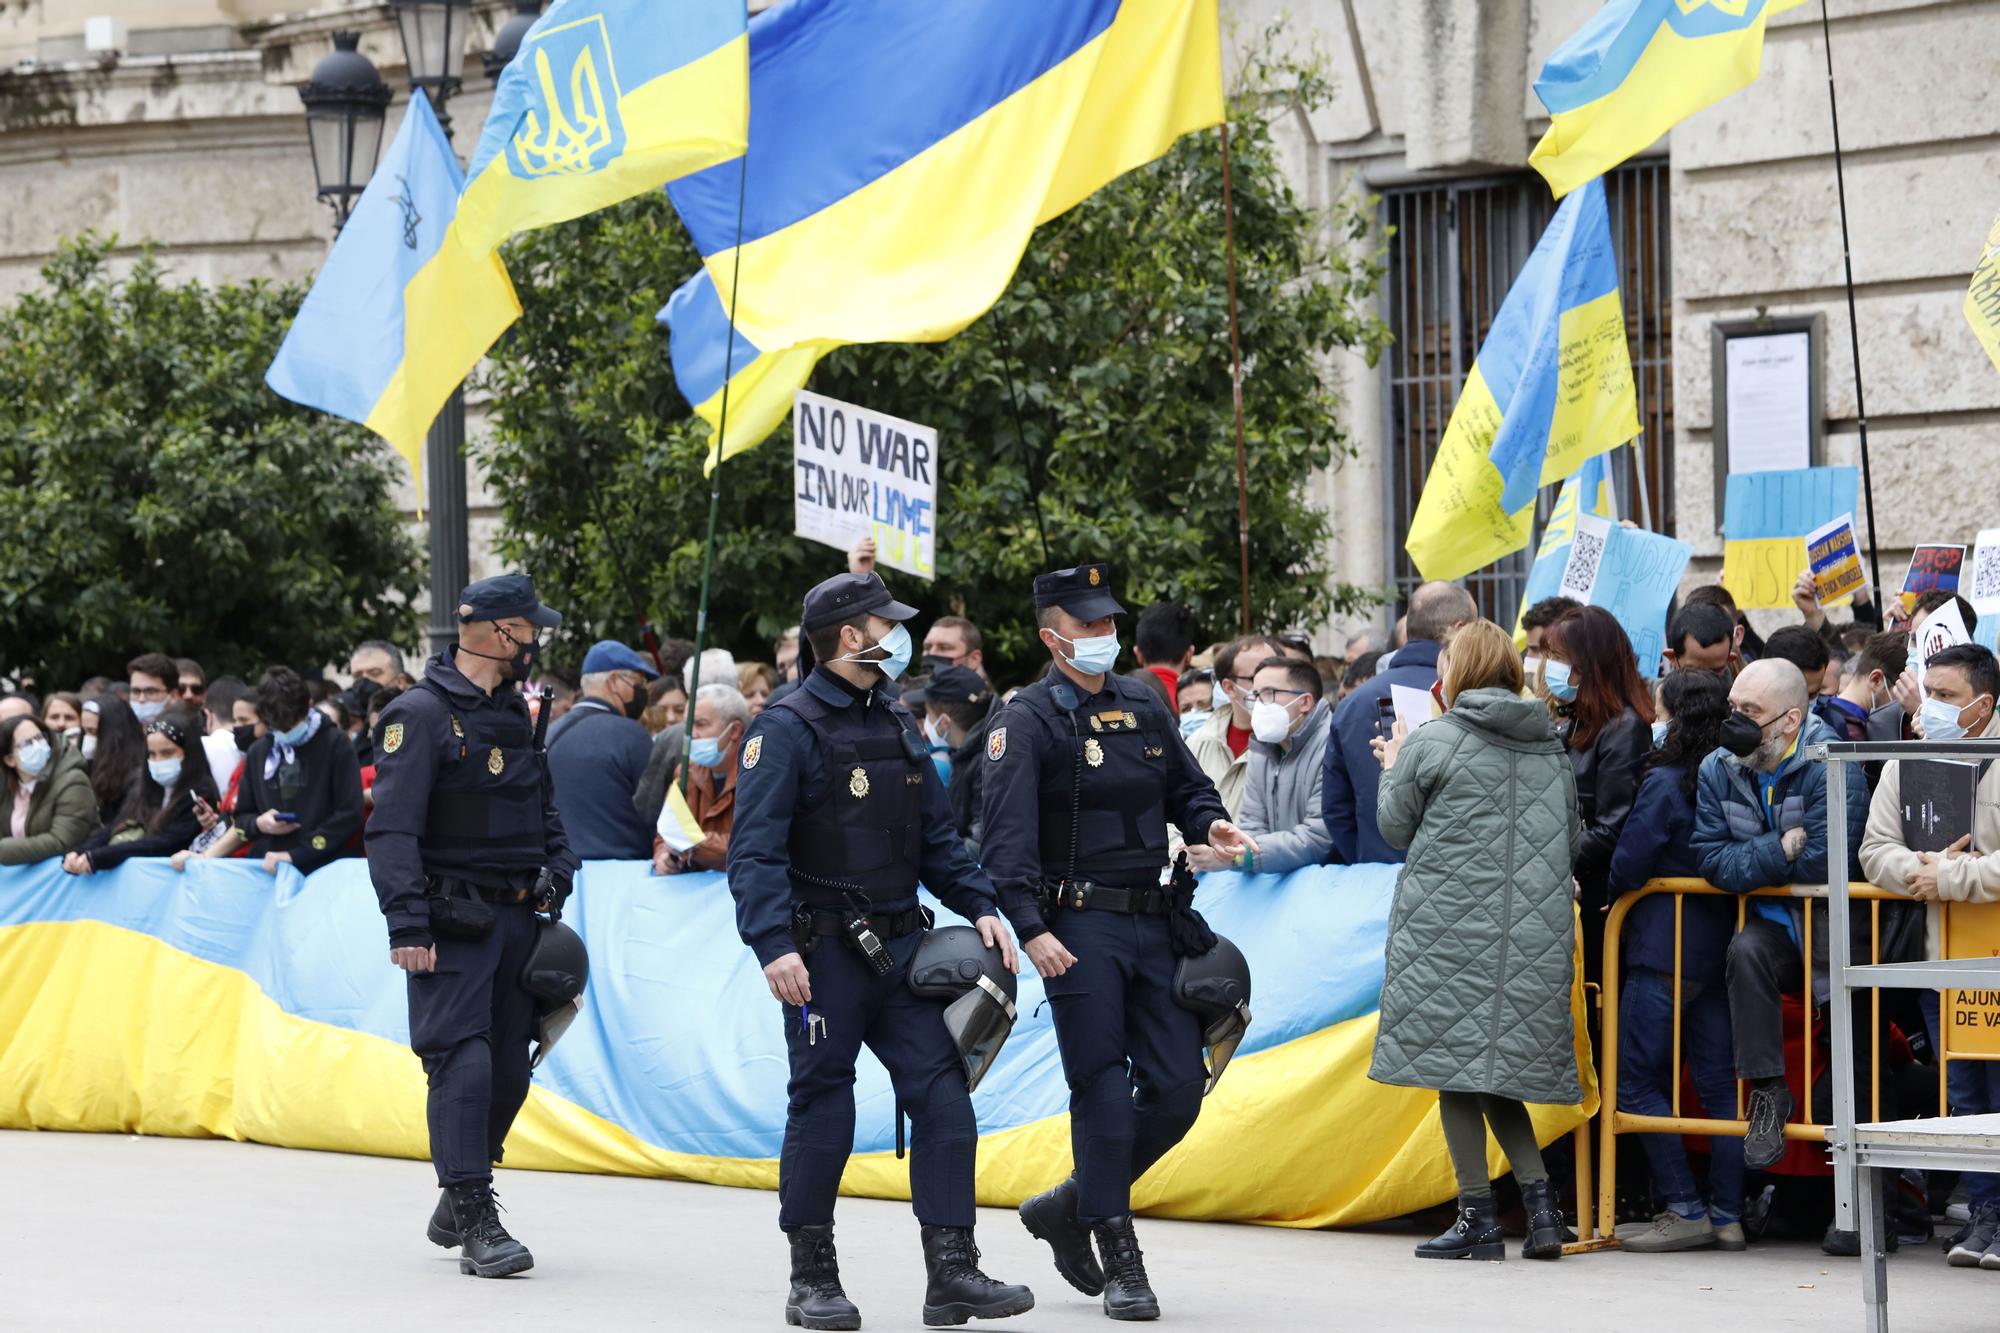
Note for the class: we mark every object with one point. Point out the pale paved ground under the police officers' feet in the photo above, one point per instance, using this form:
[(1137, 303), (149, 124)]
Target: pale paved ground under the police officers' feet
[(109, 1232)]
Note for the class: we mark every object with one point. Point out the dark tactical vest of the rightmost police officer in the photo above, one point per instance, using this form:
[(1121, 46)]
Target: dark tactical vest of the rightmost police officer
[(1109, 788)]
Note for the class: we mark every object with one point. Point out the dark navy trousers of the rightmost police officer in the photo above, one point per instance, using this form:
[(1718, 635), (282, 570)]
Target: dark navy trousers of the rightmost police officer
[(1133, 1056)]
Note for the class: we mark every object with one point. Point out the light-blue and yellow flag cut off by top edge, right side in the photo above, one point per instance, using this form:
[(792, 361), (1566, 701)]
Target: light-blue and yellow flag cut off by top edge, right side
[(1637, 71)]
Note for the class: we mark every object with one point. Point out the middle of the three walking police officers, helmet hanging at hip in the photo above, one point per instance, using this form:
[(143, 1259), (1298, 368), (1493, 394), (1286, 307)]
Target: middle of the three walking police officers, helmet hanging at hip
[(839, 816)]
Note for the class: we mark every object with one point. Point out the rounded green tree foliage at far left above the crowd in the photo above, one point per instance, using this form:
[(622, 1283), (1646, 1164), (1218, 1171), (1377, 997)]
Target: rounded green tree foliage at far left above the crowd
[(157, 495)]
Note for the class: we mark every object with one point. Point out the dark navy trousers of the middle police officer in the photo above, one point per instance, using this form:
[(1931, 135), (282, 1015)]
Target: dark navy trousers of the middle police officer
[(907, 1034)]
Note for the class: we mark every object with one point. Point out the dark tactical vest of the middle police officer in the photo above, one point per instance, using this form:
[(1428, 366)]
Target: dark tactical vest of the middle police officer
[(867, 832)]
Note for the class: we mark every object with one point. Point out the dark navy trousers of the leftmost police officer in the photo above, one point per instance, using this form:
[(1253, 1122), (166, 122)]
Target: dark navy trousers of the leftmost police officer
[(471, 1024)]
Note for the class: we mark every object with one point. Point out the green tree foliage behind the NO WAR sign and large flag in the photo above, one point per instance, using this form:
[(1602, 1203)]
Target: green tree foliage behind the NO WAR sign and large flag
[(1117, 339)]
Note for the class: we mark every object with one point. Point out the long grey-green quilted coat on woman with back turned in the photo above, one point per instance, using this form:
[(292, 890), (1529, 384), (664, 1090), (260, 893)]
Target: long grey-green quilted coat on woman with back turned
[(1483, 934)]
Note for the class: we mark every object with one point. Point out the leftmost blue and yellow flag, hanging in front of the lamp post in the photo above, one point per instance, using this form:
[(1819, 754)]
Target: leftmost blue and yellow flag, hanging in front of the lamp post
[(359, 347)]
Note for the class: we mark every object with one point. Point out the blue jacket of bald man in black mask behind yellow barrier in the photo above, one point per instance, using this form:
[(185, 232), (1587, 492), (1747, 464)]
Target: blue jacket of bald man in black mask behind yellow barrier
[(1741, 846)]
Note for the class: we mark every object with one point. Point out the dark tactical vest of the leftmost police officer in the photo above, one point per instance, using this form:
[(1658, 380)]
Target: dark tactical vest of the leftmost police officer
[(487, 800)]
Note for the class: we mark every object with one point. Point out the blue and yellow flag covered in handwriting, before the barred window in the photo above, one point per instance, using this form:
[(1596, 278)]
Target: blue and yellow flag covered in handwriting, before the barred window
[(1551, 389)]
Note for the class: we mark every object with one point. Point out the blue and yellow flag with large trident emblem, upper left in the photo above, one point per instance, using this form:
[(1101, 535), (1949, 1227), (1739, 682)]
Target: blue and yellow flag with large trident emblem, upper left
[(605, 101)]
